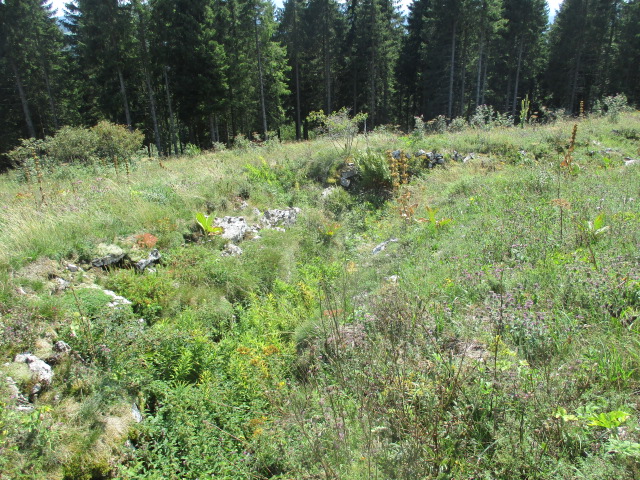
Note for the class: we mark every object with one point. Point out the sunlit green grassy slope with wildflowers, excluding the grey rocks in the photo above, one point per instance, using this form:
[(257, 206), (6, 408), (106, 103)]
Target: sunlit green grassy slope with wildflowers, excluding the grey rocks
[(499, 345)]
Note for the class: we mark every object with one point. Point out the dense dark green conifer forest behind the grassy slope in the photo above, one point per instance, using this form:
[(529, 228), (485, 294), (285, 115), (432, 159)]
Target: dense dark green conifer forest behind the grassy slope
[(203, 72)]
